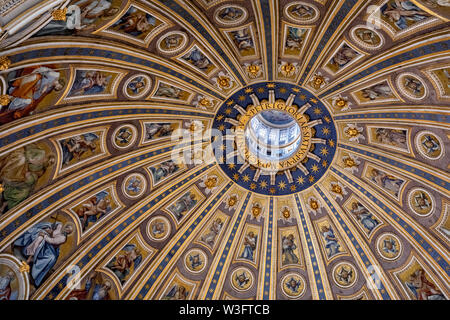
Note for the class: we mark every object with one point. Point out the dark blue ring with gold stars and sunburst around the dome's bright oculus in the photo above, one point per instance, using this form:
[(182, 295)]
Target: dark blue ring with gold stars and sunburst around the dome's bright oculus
[(270, 175)]
